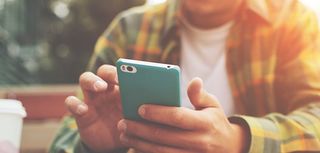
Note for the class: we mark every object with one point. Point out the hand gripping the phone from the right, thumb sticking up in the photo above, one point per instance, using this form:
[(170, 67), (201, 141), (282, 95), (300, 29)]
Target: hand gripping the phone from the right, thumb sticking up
[(182, 130)]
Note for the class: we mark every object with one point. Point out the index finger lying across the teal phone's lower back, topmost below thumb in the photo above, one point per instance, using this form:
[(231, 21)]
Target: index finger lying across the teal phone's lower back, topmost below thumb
[(179, 117)]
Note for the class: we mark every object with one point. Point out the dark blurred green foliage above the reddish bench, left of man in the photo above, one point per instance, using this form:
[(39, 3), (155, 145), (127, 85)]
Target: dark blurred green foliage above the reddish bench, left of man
[(50, 47)]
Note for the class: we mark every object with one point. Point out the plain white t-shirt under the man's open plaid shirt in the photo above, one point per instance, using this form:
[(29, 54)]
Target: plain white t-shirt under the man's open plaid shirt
[(203, 55)]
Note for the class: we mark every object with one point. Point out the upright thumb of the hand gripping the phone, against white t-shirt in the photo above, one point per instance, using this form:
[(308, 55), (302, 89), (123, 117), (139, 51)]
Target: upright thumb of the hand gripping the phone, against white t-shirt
[(199, 97)]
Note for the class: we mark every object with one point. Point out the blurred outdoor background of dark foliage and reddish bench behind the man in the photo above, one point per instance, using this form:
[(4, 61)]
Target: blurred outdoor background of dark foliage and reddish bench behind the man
[(44, 46)]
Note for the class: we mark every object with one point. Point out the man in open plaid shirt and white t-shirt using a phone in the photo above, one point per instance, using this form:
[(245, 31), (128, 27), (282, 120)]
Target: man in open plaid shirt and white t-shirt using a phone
[(260, 62)]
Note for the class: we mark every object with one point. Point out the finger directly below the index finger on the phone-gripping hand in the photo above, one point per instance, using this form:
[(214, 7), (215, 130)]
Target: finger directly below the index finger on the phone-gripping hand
[(161, 135)]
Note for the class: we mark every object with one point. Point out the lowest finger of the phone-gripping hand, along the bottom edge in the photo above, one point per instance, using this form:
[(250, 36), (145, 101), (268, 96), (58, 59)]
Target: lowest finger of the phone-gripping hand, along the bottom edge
[(149, 147)]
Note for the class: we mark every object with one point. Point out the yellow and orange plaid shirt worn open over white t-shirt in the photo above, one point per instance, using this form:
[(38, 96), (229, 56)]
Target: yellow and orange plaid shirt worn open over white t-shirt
[(273, 64)]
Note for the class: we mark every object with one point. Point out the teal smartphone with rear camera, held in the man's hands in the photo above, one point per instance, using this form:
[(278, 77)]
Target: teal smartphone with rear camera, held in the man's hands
[(147, 83)]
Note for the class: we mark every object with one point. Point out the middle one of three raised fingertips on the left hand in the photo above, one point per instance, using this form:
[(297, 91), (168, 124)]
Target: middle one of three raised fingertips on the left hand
[(91, 82)]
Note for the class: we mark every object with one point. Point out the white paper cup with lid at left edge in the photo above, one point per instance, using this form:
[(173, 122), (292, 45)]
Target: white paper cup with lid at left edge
[(11, 118)]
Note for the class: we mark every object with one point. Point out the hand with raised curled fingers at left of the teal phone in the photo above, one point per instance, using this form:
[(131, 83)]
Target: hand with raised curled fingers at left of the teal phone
[(97, 117)]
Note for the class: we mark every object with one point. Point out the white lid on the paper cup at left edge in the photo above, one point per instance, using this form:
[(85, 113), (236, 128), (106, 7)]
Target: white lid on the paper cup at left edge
[(12, 106)]
